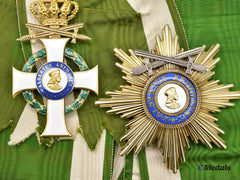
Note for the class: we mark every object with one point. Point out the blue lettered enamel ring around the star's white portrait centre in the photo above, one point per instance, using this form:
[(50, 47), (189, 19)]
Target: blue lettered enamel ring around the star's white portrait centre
[(152, 104)]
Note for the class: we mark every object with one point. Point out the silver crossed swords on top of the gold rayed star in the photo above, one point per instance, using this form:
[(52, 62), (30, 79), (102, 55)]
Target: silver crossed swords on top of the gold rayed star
[(166, 59)]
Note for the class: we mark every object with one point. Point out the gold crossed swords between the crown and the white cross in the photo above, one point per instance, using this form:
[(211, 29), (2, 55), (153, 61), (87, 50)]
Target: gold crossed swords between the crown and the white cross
[(48, 31)]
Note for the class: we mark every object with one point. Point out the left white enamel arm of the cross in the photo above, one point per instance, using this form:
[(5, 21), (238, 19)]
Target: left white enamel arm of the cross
[(22, 81)]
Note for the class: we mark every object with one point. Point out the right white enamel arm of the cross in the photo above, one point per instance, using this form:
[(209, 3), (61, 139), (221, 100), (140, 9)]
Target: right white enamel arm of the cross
[(87, 79)]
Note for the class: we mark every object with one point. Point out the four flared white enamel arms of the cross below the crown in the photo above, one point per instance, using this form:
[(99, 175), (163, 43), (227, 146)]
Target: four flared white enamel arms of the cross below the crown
[(56, 125)]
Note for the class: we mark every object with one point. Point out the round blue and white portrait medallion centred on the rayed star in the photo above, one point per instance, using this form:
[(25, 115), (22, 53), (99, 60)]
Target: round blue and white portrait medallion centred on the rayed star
[(170, 98)]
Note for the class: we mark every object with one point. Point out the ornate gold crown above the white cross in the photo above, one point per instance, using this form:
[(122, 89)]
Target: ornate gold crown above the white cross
[(50, 14)]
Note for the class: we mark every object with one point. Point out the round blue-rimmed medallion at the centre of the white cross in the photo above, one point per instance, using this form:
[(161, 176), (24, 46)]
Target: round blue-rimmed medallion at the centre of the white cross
[(58, 67)]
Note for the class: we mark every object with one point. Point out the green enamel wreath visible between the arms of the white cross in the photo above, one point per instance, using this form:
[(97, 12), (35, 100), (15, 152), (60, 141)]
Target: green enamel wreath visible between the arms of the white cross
[(78, 102)]
